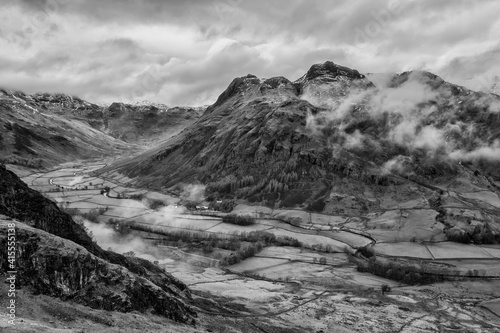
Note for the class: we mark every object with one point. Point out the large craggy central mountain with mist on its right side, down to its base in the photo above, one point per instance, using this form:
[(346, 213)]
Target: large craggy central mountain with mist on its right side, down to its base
[(333, 141)]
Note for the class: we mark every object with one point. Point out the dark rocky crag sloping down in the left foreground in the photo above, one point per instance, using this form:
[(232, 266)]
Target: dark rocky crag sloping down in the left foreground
[(56, 257)]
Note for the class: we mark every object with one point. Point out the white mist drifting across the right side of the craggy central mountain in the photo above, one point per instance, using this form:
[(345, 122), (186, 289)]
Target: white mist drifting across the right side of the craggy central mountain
[(409, 110)]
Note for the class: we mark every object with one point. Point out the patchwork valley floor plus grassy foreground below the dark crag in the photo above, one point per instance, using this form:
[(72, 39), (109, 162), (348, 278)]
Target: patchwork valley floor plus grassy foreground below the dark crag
[(280, 289)]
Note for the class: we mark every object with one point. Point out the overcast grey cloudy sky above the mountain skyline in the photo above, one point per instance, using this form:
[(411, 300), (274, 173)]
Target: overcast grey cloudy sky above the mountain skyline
[(181, 52)]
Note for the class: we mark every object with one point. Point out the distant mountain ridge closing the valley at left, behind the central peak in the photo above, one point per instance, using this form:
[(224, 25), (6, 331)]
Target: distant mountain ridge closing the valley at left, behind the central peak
[(46, 129)]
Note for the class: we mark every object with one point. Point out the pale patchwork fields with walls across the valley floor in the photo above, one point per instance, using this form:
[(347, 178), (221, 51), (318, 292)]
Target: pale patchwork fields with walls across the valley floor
[(303, 286)]
